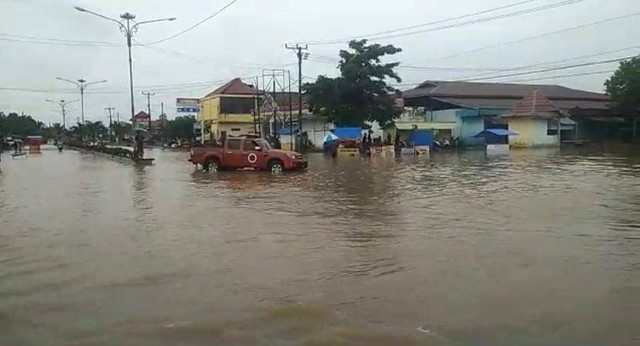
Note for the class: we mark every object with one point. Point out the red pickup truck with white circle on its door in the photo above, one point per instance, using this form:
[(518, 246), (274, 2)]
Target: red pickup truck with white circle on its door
[(246, 152)]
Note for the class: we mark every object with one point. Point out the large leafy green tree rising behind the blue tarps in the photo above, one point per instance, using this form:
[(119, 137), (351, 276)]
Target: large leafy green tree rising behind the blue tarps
[(361, 92)]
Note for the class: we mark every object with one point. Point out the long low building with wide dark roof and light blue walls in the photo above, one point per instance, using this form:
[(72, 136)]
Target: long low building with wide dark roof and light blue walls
[(467, 108)]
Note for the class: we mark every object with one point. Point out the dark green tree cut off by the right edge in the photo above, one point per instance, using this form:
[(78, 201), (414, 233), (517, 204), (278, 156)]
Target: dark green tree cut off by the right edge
[(624, 86)]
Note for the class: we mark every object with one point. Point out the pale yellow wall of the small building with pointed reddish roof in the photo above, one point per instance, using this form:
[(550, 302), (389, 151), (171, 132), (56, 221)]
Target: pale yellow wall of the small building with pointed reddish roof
[(531, 133)]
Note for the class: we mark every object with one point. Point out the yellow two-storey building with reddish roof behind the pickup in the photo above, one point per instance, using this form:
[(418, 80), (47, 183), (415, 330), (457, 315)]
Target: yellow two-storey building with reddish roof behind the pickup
[(228, 110)]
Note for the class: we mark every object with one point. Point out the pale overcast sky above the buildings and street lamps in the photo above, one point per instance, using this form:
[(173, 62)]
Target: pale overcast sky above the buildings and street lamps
[(250, 35)]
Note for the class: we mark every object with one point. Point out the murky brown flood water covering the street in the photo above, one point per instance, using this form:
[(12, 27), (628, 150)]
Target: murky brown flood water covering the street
[(536, 248)]
